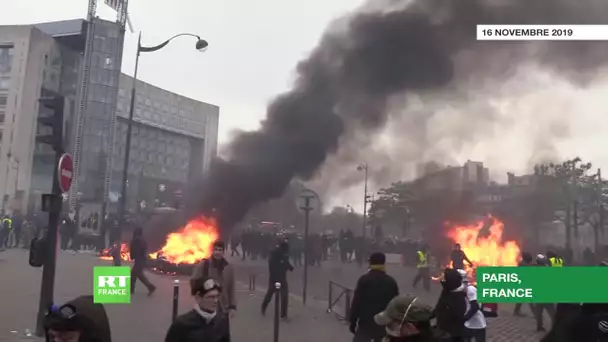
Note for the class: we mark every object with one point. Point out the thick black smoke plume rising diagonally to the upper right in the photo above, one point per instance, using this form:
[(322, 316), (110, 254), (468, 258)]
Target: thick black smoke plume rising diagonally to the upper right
[(386, 48)]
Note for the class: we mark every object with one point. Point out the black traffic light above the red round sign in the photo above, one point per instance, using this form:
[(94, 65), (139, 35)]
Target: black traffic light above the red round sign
[(50, 121)]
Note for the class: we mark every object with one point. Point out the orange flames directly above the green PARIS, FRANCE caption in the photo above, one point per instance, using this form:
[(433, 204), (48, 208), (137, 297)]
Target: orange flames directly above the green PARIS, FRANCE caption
[(483, 245)]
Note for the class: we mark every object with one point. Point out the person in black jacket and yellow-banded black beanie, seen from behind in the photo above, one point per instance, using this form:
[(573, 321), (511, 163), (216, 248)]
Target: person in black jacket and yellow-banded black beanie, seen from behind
[(374, 291)]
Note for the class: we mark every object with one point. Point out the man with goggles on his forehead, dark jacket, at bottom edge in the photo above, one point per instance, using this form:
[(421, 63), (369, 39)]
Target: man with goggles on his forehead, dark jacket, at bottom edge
[(204, 323)]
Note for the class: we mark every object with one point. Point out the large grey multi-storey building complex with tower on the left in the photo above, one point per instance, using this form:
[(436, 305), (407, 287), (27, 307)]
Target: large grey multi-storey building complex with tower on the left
[(53, 56)]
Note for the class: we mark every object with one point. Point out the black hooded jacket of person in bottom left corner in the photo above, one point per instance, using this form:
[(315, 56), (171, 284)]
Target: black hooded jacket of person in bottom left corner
[(90, 319)]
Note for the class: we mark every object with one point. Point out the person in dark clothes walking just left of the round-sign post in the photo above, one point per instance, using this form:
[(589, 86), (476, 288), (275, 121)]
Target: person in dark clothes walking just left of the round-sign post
[(278, 266)]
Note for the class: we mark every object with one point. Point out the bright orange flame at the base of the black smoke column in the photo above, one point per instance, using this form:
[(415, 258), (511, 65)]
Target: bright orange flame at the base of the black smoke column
[(191, 244)]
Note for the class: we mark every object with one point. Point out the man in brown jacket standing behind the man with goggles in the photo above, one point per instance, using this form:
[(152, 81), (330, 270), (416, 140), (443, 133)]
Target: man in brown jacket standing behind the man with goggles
[(218, 268)]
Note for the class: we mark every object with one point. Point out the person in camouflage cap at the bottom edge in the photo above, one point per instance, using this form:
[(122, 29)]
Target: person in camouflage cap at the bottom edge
[(406, 319)]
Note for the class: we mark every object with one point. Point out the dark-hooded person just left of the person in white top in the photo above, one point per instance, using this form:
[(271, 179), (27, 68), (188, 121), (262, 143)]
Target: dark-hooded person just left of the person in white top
[(451, 306)]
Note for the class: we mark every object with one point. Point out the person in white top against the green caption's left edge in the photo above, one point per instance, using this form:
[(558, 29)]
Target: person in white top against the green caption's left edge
[(475, 322)]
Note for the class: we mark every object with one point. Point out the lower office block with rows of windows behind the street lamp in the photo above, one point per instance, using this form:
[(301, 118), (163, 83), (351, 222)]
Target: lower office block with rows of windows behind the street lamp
[(174, 139)]
